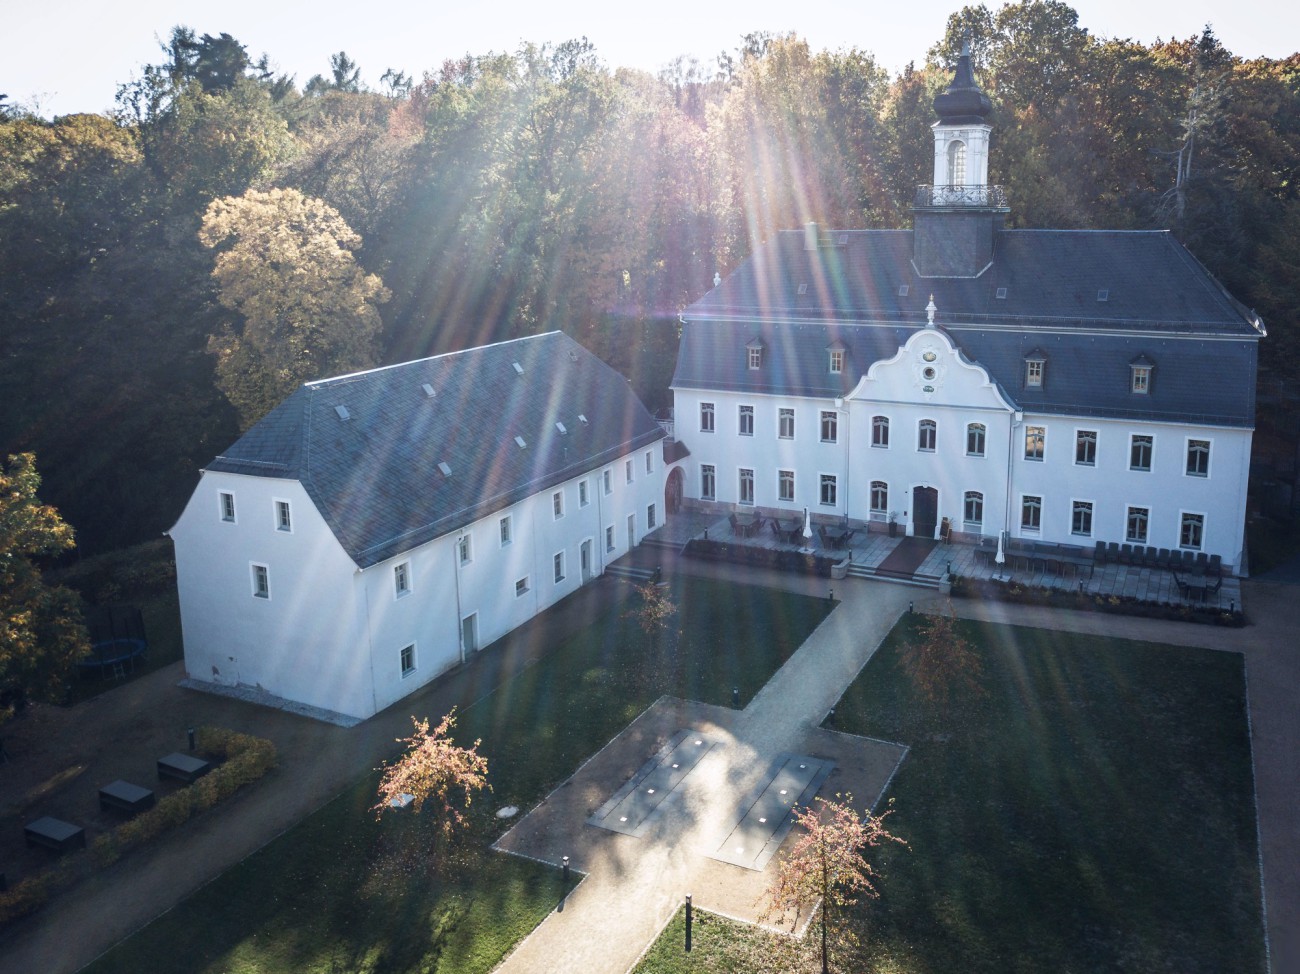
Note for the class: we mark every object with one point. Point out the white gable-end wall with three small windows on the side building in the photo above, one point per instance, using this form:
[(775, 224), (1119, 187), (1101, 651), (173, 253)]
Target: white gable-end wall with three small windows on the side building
[(285, 644)]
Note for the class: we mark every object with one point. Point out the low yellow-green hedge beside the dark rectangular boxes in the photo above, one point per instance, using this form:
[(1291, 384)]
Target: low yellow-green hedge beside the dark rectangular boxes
[(244, 760)]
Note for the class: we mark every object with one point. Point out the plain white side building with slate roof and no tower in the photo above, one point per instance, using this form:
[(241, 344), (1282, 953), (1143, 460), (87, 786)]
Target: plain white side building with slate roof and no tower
[(375, 530)]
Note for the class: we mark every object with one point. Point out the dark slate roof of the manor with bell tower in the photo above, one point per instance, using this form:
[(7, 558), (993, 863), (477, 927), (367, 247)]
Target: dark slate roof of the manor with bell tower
[(865, 293)]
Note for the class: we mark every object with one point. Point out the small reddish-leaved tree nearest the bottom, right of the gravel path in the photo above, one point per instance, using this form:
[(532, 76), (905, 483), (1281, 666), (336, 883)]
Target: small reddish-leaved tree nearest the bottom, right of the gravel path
[(827, 867)]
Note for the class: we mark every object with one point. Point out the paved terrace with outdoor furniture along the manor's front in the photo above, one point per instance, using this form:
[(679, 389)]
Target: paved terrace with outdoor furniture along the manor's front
[(873, 553)]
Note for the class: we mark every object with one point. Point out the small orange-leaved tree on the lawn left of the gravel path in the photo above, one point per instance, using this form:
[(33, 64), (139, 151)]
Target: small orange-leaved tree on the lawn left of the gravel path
[(435, 770)]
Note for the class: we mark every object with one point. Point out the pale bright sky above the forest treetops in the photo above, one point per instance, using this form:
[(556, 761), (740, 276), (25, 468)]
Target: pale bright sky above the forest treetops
[(64, 57)]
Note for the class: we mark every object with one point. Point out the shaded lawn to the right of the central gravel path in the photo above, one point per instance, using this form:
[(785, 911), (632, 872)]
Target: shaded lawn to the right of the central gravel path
[(1093, 813)]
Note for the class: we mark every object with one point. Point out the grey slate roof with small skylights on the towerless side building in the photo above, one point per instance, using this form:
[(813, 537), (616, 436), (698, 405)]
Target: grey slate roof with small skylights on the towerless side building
[(376, 475)]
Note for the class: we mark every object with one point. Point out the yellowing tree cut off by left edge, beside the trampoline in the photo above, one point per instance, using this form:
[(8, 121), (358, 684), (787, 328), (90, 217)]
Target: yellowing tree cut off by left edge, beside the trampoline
[(42, 635)]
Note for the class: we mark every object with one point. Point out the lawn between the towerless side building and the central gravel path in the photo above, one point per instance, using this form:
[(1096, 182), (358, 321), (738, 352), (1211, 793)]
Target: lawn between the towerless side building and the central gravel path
[(344, 893)]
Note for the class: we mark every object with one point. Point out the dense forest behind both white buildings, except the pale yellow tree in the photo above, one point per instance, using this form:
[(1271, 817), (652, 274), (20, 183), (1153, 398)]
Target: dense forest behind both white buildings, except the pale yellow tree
[(506, 194)]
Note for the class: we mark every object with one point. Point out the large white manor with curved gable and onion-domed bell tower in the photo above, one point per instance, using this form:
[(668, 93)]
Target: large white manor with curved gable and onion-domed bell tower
[(1063, 387)]
